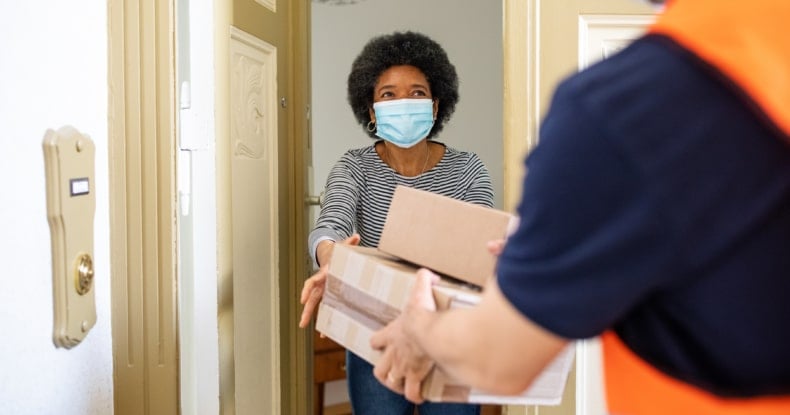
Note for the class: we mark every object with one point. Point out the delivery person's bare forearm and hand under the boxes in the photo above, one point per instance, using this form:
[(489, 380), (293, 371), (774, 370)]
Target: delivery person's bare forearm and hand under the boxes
[(491, 346)]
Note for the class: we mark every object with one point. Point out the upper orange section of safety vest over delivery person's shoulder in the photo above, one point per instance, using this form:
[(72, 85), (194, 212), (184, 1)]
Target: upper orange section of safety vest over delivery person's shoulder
[(747, 41)]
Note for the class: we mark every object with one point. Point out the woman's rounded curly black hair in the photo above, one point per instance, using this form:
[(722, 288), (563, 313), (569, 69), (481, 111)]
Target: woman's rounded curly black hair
[(402, 48)]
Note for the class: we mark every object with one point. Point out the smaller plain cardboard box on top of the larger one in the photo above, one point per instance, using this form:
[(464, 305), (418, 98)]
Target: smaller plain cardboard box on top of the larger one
[(446, 235)]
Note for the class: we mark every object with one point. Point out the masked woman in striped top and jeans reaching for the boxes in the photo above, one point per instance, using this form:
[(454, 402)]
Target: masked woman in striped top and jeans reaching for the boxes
[(402, 89)]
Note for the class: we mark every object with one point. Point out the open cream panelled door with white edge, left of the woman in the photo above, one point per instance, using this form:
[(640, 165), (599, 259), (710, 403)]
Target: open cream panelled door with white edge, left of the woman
[(238, 114)]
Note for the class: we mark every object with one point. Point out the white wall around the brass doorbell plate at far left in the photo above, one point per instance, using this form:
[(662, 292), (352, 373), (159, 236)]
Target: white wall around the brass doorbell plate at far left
[(53, 72)]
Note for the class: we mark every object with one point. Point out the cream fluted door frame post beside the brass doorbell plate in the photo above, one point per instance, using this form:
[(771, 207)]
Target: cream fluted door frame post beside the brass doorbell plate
[(143, 220)]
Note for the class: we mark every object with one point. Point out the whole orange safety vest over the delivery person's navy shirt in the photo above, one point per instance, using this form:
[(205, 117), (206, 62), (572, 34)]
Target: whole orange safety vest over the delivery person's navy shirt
[(748, 42)]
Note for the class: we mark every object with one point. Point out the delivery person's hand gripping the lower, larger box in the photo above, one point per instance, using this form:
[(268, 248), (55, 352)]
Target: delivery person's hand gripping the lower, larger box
[(404, 364)]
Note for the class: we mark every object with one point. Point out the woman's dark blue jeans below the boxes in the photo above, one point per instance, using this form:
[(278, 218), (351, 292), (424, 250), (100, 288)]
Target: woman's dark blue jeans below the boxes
[(369, 397)]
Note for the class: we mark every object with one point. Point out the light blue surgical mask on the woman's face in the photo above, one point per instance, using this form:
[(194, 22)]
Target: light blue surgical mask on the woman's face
[(404, 122)]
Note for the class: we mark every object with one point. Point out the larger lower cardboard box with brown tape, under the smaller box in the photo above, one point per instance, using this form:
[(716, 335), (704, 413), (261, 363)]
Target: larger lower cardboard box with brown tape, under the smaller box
[(366, 289)]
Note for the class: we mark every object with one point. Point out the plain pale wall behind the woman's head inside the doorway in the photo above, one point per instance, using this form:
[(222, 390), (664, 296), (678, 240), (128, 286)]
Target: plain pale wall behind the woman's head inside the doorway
[(470, 32)]
